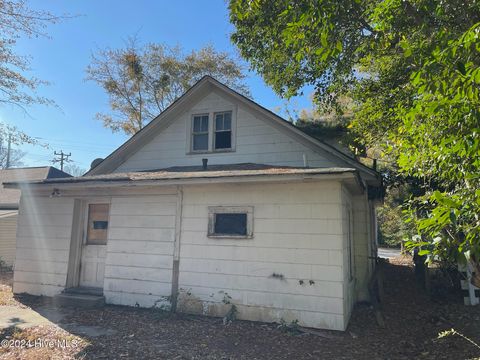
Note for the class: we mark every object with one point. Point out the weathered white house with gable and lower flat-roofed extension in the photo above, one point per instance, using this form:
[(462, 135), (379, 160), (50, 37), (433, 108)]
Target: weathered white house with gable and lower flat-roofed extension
[(217, 203)]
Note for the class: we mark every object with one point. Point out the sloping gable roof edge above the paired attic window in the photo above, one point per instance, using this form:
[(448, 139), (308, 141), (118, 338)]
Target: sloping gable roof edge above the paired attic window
[(195, 93)]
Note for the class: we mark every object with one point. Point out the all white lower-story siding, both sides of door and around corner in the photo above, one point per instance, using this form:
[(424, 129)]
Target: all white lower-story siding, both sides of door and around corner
[(299, 234)]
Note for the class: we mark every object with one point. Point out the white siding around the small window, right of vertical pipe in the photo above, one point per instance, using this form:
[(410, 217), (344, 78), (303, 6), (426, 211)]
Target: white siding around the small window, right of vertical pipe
[(297, 234)]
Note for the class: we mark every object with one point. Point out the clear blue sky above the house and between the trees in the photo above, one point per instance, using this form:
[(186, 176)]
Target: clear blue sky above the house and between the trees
[(62, 58)]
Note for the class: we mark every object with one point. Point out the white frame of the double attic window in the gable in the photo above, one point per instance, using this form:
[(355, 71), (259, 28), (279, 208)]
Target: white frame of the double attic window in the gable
[(211, 130)]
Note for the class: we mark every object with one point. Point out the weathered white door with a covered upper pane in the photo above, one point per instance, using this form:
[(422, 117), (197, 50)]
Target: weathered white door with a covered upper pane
[(94, 249)]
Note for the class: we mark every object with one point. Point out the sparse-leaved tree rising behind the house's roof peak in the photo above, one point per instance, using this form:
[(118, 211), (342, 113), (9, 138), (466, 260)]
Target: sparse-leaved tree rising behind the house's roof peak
[(141, 82)]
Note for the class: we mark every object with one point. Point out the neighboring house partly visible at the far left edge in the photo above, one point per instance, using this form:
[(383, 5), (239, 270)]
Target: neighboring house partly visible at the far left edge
[(9, 200)]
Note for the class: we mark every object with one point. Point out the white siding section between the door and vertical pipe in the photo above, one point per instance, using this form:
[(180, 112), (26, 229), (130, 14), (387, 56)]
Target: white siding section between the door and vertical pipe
[(141, 236)]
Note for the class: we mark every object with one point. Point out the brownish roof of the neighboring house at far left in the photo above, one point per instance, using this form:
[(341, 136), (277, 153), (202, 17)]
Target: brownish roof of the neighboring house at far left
[(9, 198)]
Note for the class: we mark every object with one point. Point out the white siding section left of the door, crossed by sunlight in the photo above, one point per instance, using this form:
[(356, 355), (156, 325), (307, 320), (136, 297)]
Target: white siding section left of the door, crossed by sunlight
[(43, 241)]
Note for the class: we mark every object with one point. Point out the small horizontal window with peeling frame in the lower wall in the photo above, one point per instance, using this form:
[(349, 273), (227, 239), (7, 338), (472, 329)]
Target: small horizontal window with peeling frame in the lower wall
[(232, 221)]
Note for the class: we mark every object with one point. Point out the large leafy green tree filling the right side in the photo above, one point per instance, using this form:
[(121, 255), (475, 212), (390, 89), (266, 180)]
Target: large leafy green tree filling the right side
[(412, 68)]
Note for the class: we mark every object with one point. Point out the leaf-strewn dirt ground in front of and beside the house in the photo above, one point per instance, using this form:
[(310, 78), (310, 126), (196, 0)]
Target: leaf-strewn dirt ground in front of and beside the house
[(412, 323)]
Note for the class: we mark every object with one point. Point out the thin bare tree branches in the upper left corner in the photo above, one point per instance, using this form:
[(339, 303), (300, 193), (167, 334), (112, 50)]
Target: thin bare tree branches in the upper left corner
[(17, 19)]
